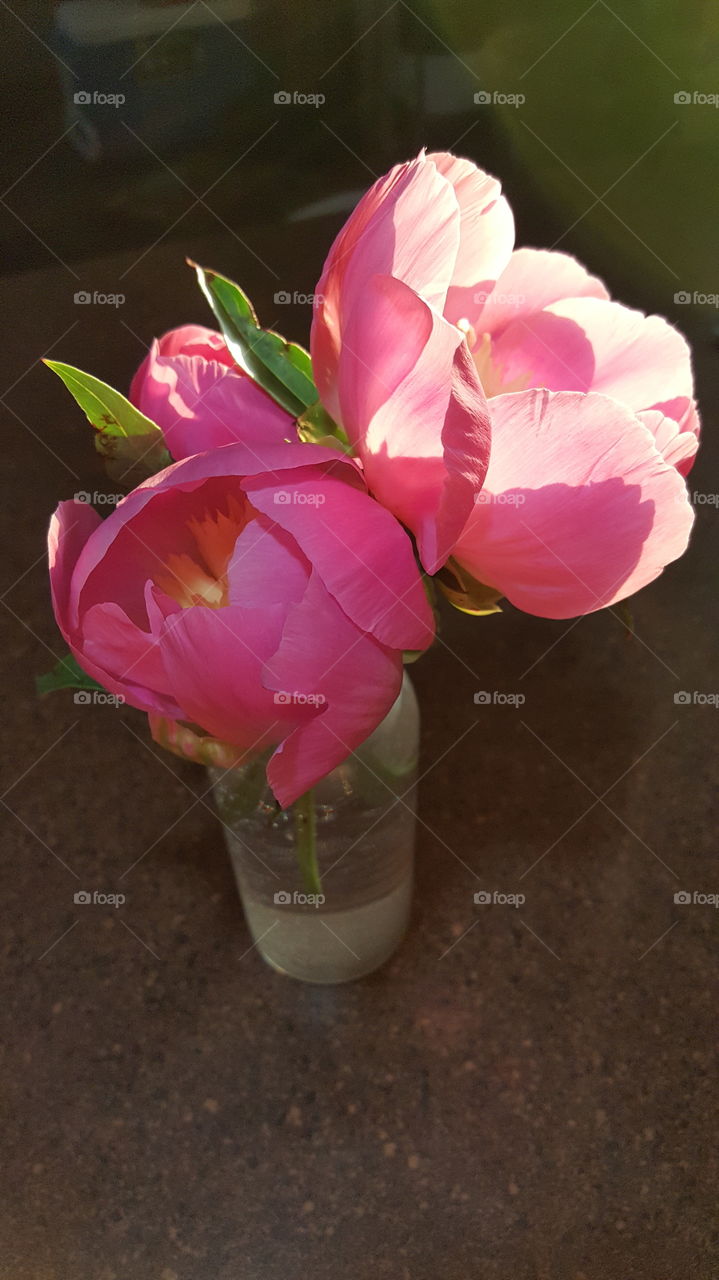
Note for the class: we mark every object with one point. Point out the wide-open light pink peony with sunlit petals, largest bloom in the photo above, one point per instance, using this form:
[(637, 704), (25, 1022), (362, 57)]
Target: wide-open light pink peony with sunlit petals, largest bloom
[(590, 405)]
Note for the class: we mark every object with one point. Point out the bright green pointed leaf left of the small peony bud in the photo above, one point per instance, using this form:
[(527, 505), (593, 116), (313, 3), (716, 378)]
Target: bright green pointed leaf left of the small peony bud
[(132, 445)]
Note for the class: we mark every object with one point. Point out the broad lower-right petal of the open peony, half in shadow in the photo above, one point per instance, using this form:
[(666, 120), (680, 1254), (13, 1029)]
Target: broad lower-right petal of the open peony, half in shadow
[(579, 510)]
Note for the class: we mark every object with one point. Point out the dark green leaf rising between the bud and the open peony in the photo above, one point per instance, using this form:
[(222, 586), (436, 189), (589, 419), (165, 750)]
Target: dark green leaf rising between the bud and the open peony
[(283, 369)]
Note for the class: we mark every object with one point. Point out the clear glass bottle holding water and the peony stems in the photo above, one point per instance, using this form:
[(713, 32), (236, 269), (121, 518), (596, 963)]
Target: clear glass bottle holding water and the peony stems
[(365, 820)]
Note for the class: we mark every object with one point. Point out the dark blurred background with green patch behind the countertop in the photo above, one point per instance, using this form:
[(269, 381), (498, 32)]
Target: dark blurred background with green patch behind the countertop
[(131, 125)]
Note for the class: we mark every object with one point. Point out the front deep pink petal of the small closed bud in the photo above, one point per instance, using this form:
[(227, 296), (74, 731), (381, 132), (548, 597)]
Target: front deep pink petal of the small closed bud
[(203, 405)]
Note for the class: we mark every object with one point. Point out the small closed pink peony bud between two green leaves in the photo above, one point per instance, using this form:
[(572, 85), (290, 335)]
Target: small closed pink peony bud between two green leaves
[(190, 386)]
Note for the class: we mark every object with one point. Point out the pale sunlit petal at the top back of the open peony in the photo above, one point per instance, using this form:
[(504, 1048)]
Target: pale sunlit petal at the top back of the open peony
[(487, 235)]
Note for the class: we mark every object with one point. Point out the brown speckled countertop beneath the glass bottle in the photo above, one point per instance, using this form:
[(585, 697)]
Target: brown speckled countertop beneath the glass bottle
[(524, 1095)]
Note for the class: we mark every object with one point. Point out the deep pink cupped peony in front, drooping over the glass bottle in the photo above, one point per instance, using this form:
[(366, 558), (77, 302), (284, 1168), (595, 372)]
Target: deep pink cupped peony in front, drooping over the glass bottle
[(265, 601)]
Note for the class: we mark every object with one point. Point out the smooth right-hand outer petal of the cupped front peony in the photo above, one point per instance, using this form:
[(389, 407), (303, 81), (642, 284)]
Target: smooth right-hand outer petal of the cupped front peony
[(360, 551)]
